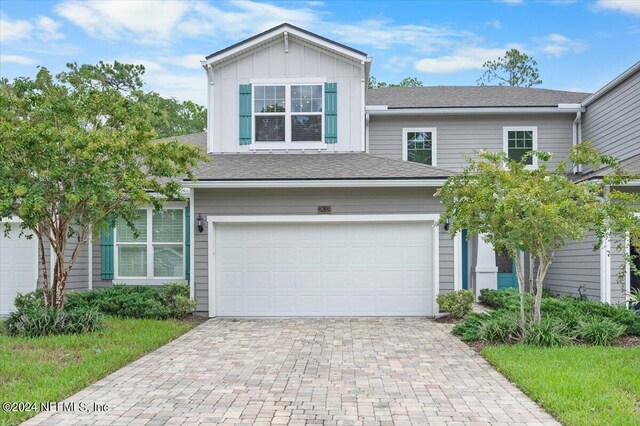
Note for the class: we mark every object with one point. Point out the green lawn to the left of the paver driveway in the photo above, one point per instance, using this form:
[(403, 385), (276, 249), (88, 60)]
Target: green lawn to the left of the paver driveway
[(52, 368)]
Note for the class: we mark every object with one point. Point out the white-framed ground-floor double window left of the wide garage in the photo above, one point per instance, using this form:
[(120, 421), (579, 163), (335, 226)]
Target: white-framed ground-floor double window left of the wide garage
[(158, 252)]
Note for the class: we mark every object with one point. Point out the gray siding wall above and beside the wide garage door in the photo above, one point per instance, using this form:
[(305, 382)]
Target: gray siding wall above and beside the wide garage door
[(343, 201)]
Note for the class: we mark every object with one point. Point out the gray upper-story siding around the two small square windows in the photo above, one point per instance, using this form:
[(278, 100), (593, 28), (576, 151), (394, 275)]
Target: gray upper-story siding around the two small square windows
[(459, 137)]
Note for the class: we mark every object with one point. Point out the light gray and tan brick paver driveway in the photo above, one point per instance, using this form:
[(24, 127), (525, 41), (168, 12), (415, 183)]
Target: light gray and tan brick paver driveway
[(308, 371)]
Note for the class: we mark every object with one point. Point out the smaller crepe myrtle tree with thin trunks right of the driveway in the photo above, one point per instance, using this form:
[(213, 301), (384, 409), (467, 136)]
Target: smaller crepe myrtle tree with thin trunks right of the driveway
[(537, 211)]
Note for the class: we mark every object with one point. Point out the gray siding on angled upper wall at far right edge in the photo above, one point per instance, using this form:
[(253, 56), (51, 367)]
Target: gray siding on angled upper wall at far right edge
[(612, 122)]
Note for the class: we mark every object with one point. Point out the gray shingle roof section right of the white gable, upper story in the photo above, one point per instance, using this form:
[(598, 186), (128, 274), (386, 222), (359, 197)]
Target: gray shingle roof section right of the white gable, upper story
[(469, 96)]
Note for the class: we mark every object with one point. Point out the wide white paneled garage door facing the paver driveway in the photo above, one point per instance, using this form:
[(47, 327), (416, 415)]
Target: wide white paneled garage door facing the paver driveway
[(324, 269)]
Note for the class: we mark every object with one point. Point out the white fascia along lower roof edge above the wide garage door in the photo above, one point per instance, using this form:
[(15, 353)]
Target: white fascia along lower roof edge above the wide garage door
[(350, 183)]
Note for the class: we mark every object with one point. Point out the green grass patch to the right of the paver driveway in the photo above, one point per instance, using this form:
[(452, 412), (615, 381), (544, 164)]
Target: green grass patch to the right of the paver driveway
[(579, 385)]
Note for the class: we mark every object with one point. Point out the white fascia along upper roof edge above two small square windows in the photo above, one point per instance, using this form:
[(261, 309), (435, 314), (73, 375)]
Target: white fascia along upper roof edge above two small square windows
[(472, 111)]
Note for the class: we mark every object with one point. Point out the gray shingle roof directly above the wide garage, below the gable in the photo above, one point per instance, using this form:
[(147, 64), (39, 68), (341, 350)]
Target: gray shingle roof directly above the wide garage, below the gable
[(312, 167)]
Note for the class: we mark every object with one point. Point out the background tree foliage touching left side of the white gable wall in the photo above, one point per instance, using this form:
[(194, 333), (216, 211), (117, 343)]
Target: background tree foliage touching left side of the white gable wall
[(171, 117)]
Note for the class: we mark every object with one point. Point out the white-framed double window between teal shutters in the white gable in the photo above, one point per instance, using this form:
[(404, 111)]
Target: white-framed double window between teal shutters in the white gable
[(288, 113)]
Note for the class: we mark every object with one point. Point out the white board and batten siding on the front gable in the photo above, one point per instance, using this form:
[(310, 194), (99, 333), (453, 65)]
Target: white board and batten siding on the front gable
[(302, 61)]
